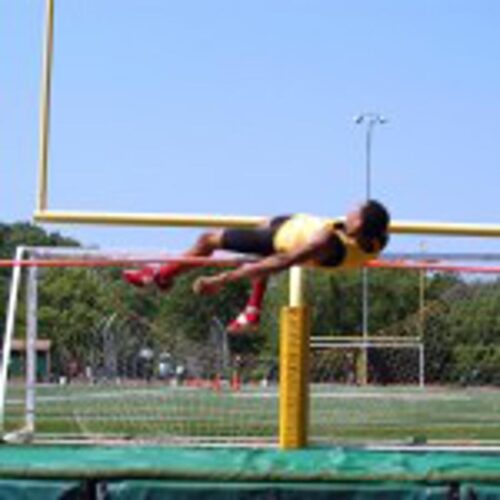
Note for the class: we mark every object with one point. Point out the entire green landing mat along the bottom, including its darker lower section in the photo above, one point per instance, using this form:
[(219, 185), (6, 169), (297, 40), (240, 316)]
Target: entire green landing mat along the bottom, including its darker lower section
[(146, 472)]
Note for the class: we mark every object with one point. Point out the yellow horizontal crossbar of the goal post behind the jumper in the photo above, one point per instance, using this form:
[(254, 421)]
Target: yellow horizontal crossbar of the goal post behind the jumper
[(200, 220)]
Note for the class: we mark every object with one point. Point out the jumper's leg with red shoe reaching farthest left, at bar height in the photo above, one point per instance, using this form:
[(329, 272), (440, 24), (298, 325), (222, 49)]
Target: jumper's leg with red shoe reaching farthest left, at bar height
[(163, 276)]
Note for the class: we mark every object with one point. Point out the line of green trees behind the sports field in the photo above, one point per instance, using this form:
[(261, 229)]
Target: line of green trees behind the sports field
[(97, 322)]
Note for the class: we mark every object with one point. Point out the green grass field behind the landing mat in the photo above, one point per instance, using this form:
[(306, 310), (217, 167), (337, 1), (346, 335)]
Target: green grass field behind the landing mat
[(339, 414)]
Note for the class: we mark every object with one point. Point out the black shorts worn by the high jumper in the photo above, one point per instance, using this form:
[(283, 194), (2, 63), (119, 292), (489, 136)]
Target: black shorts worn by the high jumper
[(258, 241)]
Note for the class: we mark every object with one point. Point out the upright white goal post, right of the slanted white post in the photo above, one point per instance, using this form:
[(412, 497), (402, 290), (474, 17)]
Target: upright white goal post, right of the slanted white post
[(31, 336)]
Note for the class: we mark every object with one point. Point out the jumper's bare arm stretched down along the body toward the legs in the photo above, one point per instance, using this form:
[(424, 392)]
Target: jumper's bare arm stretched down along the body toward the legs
[(265, 267)]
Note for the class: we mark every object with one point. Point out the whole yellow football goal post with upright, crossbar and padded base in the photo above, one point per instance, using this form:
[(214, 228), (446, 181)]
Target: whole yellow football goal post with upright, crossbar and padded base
[(294, 320)]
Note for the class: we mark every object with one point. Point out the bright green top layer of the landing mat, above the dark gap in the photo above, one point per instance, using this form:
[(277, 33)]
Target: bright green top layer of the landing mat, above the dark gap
[(245, 464)]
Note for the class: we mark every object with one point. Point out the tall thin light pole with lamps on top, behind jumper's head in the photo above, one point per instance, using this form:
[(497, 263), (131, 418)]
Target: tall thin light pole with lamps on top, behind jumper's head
[(370, 120)]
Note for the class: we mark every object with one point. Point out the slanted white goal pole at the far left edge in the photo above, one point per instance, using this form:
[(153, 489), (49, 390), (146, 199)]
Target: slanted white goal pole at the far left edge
[(9, 332)]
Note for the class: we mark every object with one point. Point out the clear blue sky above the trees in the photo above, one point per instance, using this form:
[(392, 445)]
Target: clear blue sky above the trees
[(246, 107)]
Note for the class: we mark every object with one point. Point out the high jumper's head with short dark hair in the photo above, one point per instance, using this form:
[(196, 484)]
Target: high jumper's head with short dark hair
[(369, 224)]
